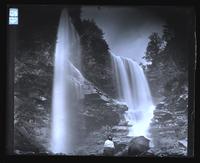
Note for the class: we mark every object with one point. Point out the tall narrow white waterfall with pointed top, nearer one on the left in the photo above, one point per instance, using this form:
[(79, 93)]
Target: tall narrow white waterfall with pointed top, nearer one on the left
[(67, 81)]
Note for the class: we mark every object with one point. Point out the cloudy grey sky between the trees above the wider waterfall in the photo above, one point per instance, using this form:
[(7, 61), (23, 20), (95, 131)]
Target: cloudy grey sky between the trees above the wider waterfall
[(126, 29)]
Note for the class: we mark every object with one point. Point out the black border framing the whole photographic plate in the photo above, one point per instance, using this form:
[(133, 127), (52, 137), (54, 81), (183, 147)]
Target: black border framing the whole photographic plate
[(6, 86)]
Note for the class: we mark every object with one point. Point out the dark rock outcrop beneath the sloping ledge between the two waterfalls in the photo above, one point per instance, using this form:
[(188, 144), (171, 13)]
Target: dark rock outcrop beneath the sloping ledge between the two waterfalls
[(98, 110)]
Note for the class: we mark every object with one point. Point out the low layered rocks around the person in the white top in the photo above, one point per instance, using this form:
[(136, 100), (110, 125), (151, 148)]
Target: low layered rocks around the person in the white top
[(93, 143)]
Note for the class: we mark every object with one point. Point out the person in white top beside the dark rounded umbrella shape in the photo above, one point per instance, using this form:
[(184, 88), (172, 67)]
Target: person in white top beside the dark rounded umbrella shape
[(109, 147)]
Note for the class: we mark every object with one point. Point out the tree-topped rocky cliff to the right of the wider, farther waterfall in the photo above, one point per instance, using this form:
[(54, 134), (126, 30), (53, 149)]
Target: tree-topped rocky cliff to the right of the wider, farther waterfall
[(168, 78)]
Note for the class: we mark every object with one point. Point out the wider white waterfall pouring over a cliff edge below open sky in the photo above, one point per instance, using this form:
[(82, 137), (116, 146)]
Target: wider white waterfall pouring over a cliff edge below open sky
[(133, 90)]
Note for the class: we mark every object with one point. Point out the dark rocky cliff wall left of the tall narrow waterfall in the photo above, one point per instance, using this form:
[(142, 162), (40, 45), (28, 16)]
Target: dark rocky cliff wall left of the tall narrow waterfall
[(32, 87)]
